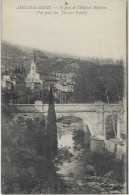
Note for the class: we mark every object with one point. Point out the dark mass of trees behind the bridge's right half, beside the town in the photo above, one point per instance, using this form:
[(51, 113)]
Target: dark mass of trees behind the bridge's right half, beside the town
[(97, 83)]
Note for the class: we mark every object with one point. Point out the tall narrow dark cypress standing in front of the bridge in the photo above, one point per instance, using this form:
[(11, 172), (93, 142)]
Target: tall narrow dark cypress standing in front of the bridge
[(51, 126)]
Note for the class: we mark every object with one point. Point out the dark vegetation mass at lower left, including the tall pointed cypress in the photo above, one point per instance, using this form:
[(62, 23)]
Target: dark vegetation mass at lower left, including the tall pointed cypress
[(28, 149)]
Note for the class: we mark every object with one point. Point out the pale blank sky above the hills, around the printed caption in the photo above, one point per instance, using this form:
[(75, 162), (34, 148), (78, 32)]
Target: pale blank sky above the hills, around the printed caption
[(100, 33)]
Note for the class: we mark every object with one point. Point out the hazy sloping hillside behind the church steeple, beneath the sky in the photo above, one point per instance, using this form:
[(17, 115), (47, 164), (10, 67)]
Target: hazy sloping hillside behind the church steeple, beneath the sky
[(21, 56)]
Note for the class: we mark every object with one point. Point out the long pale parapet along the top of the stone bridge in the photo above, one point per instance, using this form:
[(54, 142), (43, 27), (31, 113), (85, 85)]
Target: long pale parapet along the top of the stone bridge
[(62, 108)]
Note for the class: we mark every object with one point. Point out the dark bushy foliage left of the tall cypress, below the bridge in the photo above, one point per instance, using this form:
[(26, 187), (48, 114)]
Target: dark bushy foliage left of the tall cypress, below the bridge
[(23, 151)]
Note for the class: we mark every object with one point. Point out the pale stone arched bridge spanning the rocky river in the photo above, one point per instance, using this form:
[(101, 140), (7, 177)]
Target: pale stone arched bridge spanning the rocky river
[(93, 115)]
